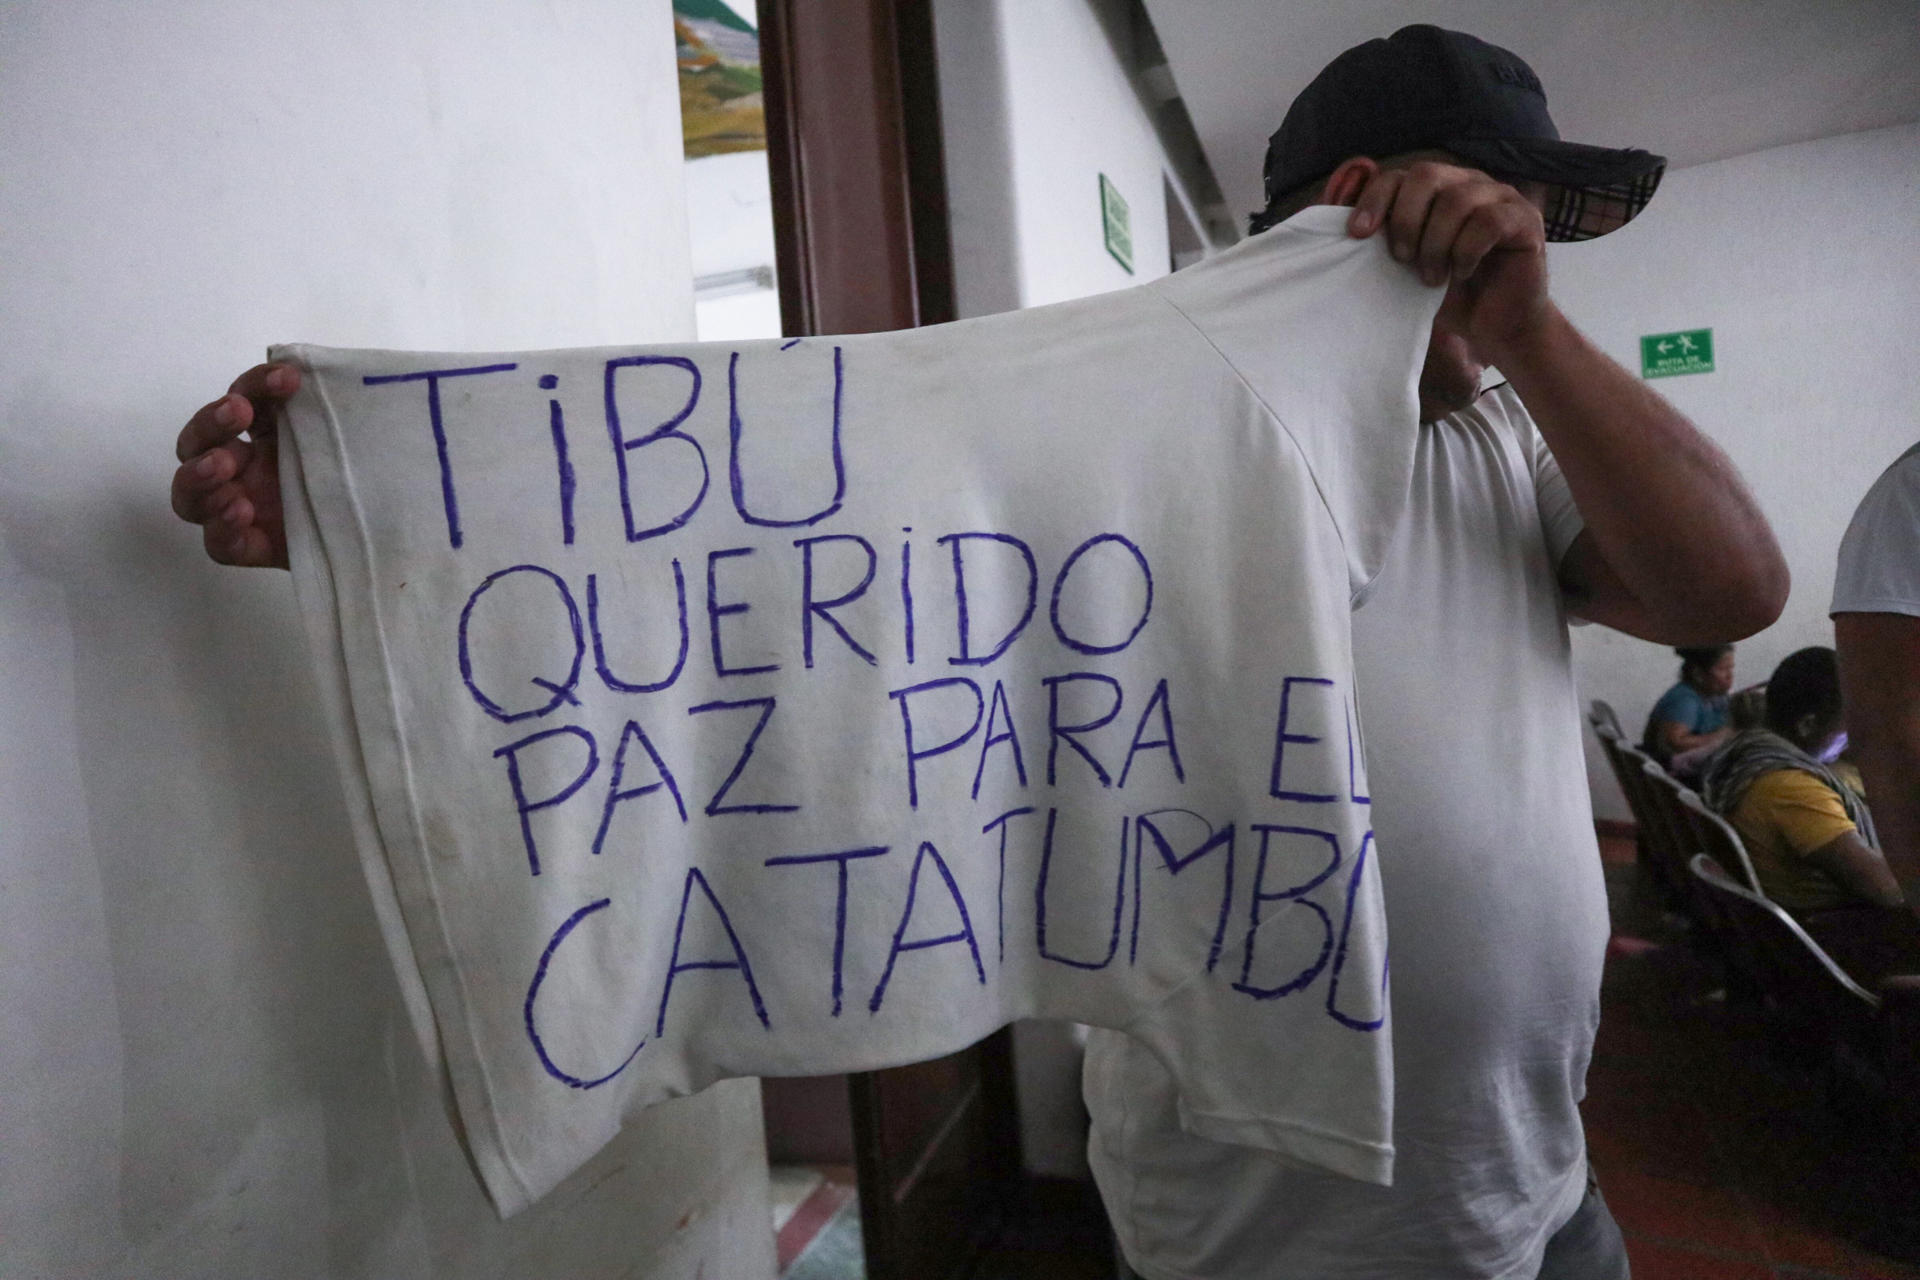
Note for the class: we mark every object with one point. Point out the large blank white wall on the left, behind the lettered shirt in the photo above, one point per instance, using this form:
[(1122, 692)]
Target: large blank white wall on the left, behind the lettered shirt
[(204, 1066)]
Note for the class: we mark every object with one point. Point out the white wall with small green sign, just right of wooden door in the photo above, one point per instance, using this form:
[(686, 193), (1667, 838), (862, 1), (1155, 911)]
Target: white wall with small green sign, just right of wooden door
[(1036, 105)]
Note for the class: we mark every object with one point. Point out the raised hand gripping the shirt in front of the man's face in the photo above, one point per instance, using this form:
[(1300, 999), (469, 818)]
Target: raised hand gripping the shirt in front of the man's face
[(1476, 233)]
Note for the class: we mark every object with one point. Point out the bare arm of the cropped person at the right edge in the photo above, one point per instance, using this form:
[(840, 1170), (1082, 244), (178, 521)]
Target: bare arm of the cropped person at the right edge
[(1881, 688)]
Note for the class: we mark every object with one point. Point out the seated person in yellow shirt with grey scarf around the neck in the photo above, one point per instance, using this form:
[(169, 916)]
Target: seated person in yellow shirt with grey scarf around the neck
[(1808, 828)]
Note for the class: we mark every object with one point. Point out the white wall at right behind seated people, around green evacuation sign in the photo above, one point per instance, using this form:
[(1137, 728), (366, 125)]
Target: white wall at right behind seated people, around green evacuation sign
[(1802, 262)]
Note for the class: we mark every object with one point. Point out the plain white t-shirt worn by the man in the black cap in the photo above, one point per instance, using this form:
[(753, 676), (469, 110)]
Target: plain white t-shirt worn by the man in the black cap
[(1495, 905)]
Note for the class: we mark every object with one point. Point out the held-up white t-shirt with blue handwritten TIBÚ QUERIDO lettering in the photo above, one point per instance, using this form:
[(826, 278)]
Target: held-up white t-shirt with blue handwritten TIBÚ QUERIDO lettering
[(825, 705)]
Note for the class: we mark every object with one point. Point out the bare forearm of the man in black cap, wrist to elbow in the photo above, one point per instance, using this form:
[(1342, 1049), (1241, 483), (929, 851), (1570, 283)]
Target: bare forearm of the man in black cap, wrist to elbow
[(1666, 508)]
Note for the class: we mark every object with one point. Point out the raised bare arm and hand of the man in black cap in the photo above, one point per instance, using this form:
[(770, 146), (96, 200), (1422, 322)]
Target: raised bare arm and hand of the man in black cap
[(1675, 550)]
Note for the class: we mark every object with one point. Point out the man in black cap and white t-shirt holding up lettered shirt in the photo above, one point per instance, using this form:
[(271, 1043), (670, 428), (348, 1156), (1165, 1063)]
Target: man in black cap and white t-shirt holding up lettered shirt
[(1572, 490)]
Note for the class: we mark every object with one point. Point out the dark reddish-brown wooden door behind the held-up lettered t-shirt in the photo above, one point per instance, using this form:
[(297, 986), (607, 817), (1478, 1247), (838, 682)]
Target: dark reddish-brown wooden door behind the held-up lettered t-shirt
[(861, 231)]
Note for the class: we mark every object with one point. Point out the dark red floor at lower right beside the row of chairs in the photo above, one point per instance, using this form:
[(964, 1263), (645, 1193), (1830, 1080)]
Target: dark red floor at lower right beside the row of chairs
[(1717, 1158)]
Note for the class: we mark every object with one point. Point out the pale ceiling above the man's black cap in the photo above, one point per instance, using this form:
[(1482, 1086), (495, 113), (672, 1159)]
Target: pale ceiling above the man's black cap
[(1691, 80)]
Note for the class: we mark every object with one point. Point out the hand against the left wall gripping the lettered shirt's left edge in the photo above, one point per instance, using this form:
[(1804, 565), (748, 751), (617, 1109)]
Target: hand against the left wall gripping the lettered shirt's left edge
[(231, 486)]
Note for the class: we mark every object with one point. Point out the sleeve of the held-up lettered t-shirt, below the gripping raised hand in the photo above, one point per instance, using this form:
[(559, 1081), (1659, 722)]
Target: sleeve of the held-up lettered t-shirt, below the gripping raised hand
[(1330, 335)]
